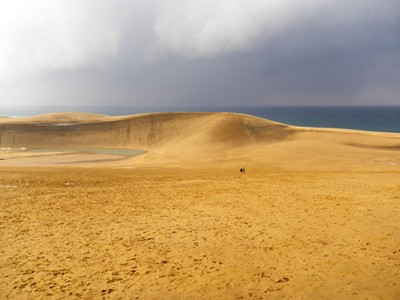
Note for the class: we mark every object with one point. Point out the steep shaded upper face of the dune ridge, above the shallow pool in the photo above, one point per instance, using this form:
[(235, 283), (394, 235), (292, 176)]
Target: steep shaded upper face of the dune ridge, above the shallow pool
[(145, 131)]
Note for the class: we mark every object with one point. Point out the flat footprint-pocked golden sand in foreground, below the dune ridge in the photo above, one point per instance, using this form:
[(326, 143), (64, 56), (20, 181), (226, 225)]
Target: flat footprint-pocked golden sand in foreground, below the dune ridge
[(204, 234)]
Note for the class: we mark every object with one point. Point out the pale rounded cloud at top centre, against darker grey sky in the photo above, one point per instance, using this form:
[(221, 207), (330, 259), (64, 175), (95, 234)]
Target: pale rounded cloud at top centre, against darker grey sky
[(208, 27)]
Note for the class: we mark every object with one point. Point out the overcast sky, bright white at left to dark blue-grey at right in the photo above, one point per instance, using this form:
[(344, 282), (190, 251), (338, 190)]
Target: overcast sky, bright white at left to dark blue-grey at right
[(199, 52)]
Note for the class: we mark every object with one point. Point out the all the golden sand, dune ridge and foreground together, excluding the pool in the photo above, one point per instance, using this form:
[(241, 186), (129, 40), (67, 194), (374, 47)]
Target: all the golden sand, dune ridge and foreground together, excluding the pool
[(315, 216)]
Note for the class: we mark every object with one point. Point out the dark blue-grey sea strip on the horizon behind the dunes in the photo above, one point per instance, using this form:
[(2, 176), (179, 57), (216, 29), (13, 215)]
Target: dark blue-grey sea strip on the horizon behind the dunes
[(371, 118)]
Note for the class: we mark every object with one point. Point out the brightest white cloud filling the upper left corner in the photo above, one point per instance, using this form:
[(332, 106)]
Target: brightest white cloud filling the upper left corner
[(44, 35)]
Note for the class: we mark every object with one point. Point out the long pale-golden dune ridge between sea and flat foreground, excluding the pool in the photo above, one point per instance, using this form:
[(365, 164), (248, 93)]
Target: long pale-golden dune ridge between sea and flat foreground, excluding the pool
[(197, 139)]
